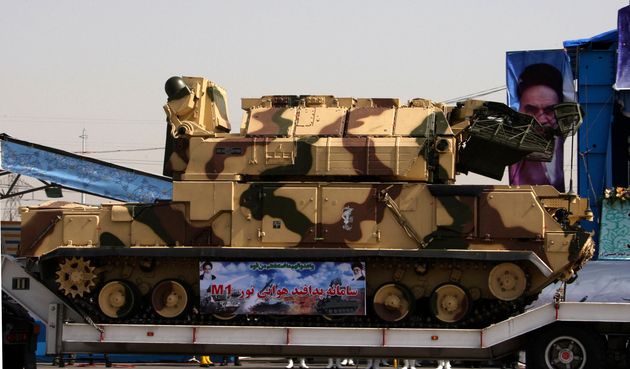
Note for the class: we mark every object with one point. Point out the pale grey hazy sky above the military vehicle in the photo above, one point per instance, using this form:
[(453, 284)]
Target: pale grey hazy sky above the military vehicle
[(101, 66)]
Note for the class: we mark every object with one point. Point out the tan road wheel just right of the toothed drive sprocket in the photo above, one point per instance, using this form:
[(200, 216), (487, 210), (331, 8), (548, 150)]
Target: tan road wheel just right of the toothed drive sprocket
[(118, 299)]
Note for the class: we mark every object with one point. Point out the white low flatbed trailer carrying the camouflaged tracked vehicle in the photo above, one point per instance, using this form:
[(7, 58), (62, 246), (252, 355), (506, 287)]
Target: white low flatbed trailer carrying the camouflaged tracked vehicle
[(555, 335)]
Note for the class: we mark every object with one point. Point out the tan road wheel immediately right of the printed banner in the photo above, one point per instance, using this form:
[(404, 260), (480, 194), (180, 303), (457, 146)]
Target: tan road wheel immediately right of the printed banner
[(392, 302)]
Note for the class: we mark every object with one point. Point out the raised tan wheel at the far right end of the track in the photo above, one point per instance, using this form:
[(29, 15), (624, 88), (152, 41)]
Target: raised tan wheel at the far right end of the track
[(507, 281)]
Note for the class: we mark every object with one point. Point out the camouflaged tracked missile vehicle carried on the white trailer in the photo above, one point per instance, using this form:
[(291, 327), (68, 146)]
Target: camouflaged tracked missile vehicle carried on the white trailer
[(317, 201)]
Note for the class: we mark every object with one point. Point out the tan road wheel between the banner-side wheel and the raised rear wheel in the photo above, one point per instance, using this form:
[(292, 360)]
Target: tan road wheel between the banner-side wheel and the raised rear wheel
[(449, 303)]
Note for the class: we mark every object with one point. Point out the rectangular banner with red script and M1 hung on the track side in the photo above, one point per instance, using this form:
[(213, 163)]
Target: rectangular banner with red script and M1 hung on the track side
[(282, 288)]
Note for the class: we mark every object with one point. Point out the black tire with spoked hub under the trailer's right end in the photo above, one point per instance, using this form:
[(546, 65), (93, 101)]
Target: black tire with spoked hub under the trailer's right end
[(564, 346)]
